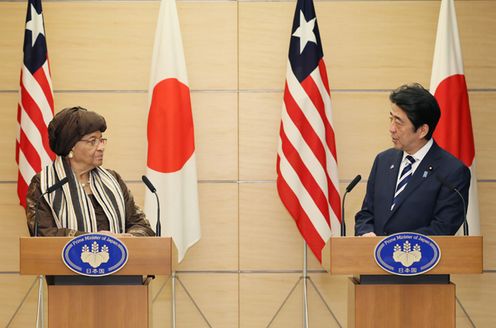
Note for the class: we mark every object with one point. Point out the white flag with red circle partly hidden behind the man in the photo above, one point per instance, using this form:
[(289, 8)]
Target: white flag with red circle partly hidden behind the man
[(454, 130)]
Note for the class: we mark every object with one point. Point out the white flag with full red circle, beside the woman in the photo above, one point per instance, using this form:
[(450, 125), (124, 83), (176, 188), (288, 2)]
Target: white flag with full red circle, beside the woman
[(171, 162)]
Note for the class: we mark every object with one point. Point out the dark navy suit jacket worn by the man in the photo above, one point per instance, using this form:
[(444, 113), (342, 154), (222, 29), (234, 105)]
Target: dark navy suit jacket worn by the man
[(425, 205)]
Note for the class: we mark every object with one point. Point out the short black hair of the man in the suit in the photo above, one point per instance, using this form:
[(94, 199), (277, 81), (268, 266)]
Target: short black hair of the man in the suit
[(419, 105)]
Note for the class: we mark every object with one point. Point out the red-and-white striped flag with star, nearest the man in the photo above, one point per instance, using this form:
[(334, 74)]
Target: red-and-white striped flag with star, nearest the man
[(307, 171)]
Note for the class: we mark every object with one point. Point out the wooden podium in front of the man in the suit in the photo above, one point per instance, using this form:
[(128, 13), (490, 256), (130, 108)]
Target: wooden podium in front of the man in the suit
[(379, 299)]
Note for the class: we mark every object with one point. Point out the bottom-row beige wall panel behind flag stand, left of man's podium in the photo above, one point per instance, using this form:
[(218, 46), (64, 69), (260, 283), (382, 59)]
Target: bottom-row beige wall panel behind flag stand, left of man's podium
[(261, 295)]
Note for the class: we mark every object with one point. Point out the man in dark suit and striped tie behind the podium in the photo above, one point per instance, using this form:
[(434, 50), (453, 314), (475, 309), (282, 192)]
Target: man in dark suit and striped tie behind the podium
[(410, 185)]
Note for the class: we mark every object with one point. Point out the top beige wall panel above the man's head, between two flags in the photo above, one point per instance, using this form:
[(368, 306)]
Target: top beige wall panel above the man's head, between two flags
[(364, 50)]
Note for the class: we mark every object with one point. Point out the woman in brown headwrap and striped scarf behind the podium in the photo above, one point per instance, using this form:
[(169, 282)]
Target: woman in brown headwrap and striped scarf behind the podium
[(94, 199)]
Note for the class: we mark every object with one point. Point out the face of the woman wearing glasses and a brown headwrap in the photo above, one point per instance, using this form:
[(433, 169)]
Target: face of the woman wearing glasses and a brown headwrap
[(88, 152)]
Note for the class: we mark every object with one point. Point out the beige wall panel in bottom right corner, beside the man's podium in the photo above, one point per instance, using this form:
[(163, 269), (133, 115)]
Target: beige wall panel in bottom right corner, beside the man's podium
[(477, 293)]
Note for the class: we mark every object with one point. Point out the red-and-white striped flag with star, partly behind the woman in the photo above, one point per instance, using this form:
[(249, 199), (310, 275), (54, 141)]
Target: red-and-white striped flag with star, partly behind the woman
[(35, 107)]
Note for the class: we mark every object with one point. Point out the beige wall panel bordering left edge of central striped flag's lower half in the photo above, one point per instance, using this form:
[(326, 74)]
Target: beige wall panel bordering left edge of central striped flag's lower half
[(268, 236)]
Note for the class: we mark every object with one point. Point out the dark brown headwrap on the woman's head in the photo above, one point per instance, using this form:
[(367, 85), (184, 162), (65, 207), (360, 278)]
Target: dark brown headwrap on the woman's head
[(70, 125)]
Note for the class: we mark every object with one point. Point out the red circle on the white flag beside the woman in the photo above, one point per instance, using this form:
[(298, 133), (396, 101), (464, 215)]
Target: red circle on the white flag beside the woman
[(170, 127)]
